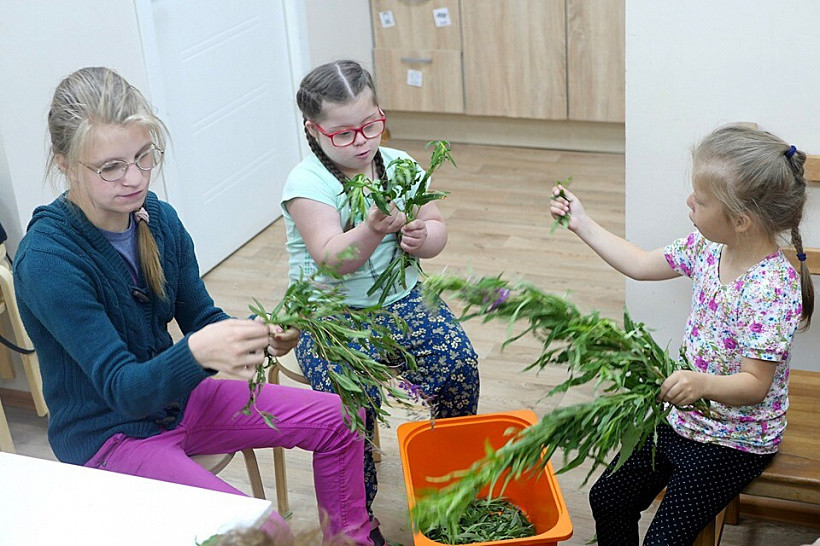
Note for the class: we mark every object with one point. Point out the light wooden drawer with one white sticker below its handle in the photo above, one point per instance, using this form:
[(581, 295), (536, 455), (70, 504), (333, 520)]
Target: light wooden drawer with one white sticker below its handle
[(437, 72)]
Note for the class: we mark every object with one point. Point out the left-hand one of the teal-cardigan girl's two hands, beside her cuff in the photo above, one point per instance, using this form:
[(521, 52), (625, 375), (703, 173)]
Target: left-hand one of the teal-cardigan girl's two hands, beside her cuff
[(231, 346)]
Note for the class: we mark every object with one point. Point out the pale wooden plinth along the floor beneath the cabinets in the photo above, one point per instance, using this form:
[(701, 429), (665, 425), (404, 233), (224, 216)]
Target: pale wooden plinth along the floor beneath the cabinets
[(498, 131)]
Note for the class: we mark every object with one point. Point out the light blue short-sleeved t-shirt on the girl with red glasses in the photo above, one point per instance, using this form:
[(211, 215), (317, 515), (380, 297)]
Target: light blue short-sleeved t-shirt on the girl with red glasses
[(311, 180)]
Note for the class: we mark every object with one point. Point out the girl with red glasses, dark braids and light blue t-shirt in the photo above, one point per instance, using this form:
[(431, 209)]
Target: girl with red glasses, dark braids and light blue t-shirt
[(343, 124)]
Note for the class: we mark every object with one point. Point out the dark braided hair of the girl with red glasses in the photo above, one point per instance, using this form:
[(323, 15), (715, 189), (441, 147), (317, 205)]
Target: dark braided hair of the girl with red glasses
[(337, 82)]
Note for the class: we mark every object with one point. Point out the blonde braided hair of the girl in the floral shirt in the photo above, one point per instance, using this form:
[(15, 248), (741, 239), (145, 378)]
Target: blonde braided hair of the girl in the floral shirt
[(754, 172)]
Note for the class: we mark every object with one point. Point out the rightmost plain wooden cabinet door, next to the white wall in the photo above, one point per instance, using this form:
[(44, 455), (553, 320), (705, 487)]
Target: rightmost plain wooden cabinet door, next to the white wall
[(595, 60)]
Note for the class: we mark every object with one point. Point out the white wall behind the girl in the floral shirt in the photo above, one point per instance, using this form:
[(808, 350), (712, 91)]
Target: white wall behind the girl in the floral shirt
[(690, 67)]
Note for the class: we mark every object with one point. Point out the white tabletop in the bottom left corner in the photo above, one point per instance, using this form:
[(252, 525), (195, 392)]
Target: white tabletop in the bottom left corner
[(44, 503)]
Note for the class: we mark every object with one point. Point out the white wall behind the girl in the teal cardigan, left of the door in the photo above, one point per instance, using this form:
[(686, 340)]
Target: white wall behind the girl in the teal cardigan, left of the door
[(40, 43)]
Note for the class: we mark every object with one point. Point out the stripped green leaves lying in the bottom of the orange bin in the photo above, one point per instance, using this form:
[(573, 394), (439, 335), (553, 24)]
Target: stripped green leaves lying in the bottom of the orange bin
[(485, 520)]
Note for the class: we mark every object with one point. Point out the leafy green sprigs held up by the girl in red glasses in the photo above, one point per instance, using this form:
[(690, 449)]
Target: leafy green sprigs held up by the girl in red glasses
[(409, 189)]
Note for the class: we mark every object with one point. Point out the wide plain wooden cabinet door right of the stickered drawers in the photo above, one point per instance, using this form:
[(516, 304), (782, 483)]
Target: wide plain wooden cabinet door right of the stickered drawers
[(515, 58)]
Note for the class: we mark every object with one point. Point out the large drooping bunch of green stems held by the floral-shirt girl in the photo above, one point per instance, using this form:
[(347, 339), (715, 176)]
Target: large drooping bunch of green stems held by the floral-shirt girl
[(626, 365)]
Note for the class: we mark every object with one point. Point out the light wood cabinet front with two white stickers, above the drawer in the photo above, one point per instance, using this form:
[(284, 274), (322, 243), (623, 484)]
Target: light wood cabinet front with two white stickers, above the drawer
[(416, 24)]
